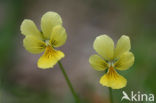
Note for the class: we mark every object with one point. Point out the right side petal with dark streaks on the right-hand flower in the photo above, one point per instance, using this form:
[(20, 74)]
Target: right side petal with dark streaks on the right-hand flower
[(125, 61)]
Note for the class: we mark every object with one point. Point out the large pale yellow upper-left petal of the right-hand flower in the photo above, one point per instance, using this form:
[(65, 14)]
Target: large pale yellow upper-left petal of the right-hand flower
[(104, 45)]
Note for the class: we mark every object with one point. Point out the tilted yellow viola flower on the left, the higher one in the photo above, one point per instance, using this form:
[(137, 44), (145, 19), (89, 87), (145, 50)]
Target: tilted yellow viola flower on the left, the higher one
[(52, 35)]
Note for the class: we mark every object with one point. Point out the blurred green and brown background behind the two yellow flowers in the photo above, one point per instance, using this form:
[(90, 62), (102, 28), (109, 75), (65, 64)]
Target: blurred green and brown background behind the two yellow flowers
[(22, 82)]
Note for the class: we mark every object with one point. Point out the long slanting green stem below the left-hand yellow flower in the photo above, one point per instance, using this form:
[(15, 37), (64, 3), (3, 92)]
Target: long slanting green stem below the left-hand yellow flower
[(68, 82)]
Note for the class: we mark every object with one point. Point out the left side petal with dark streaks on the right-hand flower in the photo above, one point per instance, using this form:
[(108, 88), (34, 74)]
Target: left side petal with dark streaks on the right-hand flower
[(98, 63)]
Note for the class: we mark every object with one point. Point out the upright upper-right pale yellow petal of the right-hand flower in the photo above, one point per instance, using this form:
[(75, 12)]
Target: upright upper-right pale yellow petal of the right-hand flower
[(123, 45)]
